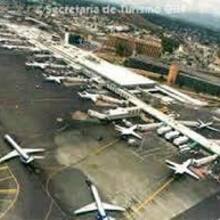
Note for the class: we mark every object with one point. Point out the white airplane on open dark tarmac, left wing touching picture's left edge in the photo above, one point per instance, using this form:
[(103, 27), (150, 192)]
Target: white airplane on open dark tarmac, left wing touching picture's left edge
[(23, 153)]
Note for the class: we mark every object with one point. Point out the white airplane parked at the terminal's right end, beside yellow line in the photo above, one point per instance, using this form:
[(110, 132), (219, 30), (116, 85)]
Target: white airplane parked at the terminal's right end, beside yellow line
[(182, 168)]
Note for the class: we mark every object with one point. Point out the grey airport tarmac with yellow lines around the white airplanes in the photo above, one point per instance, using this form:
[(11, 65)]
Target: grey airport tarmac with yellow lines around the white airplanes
[(52, 189)]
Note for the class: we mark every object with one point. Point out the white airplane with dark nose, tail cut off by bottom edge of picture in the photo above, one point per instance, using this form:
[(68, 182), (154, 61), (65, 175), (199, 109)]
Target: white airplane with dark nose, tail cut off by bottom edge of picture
[(98, 206)]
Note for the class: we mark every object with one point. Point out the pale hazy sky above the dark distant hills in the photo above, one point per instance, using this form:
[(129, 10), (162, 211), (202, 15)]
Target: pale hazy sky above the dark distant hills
[(204, 6)]
